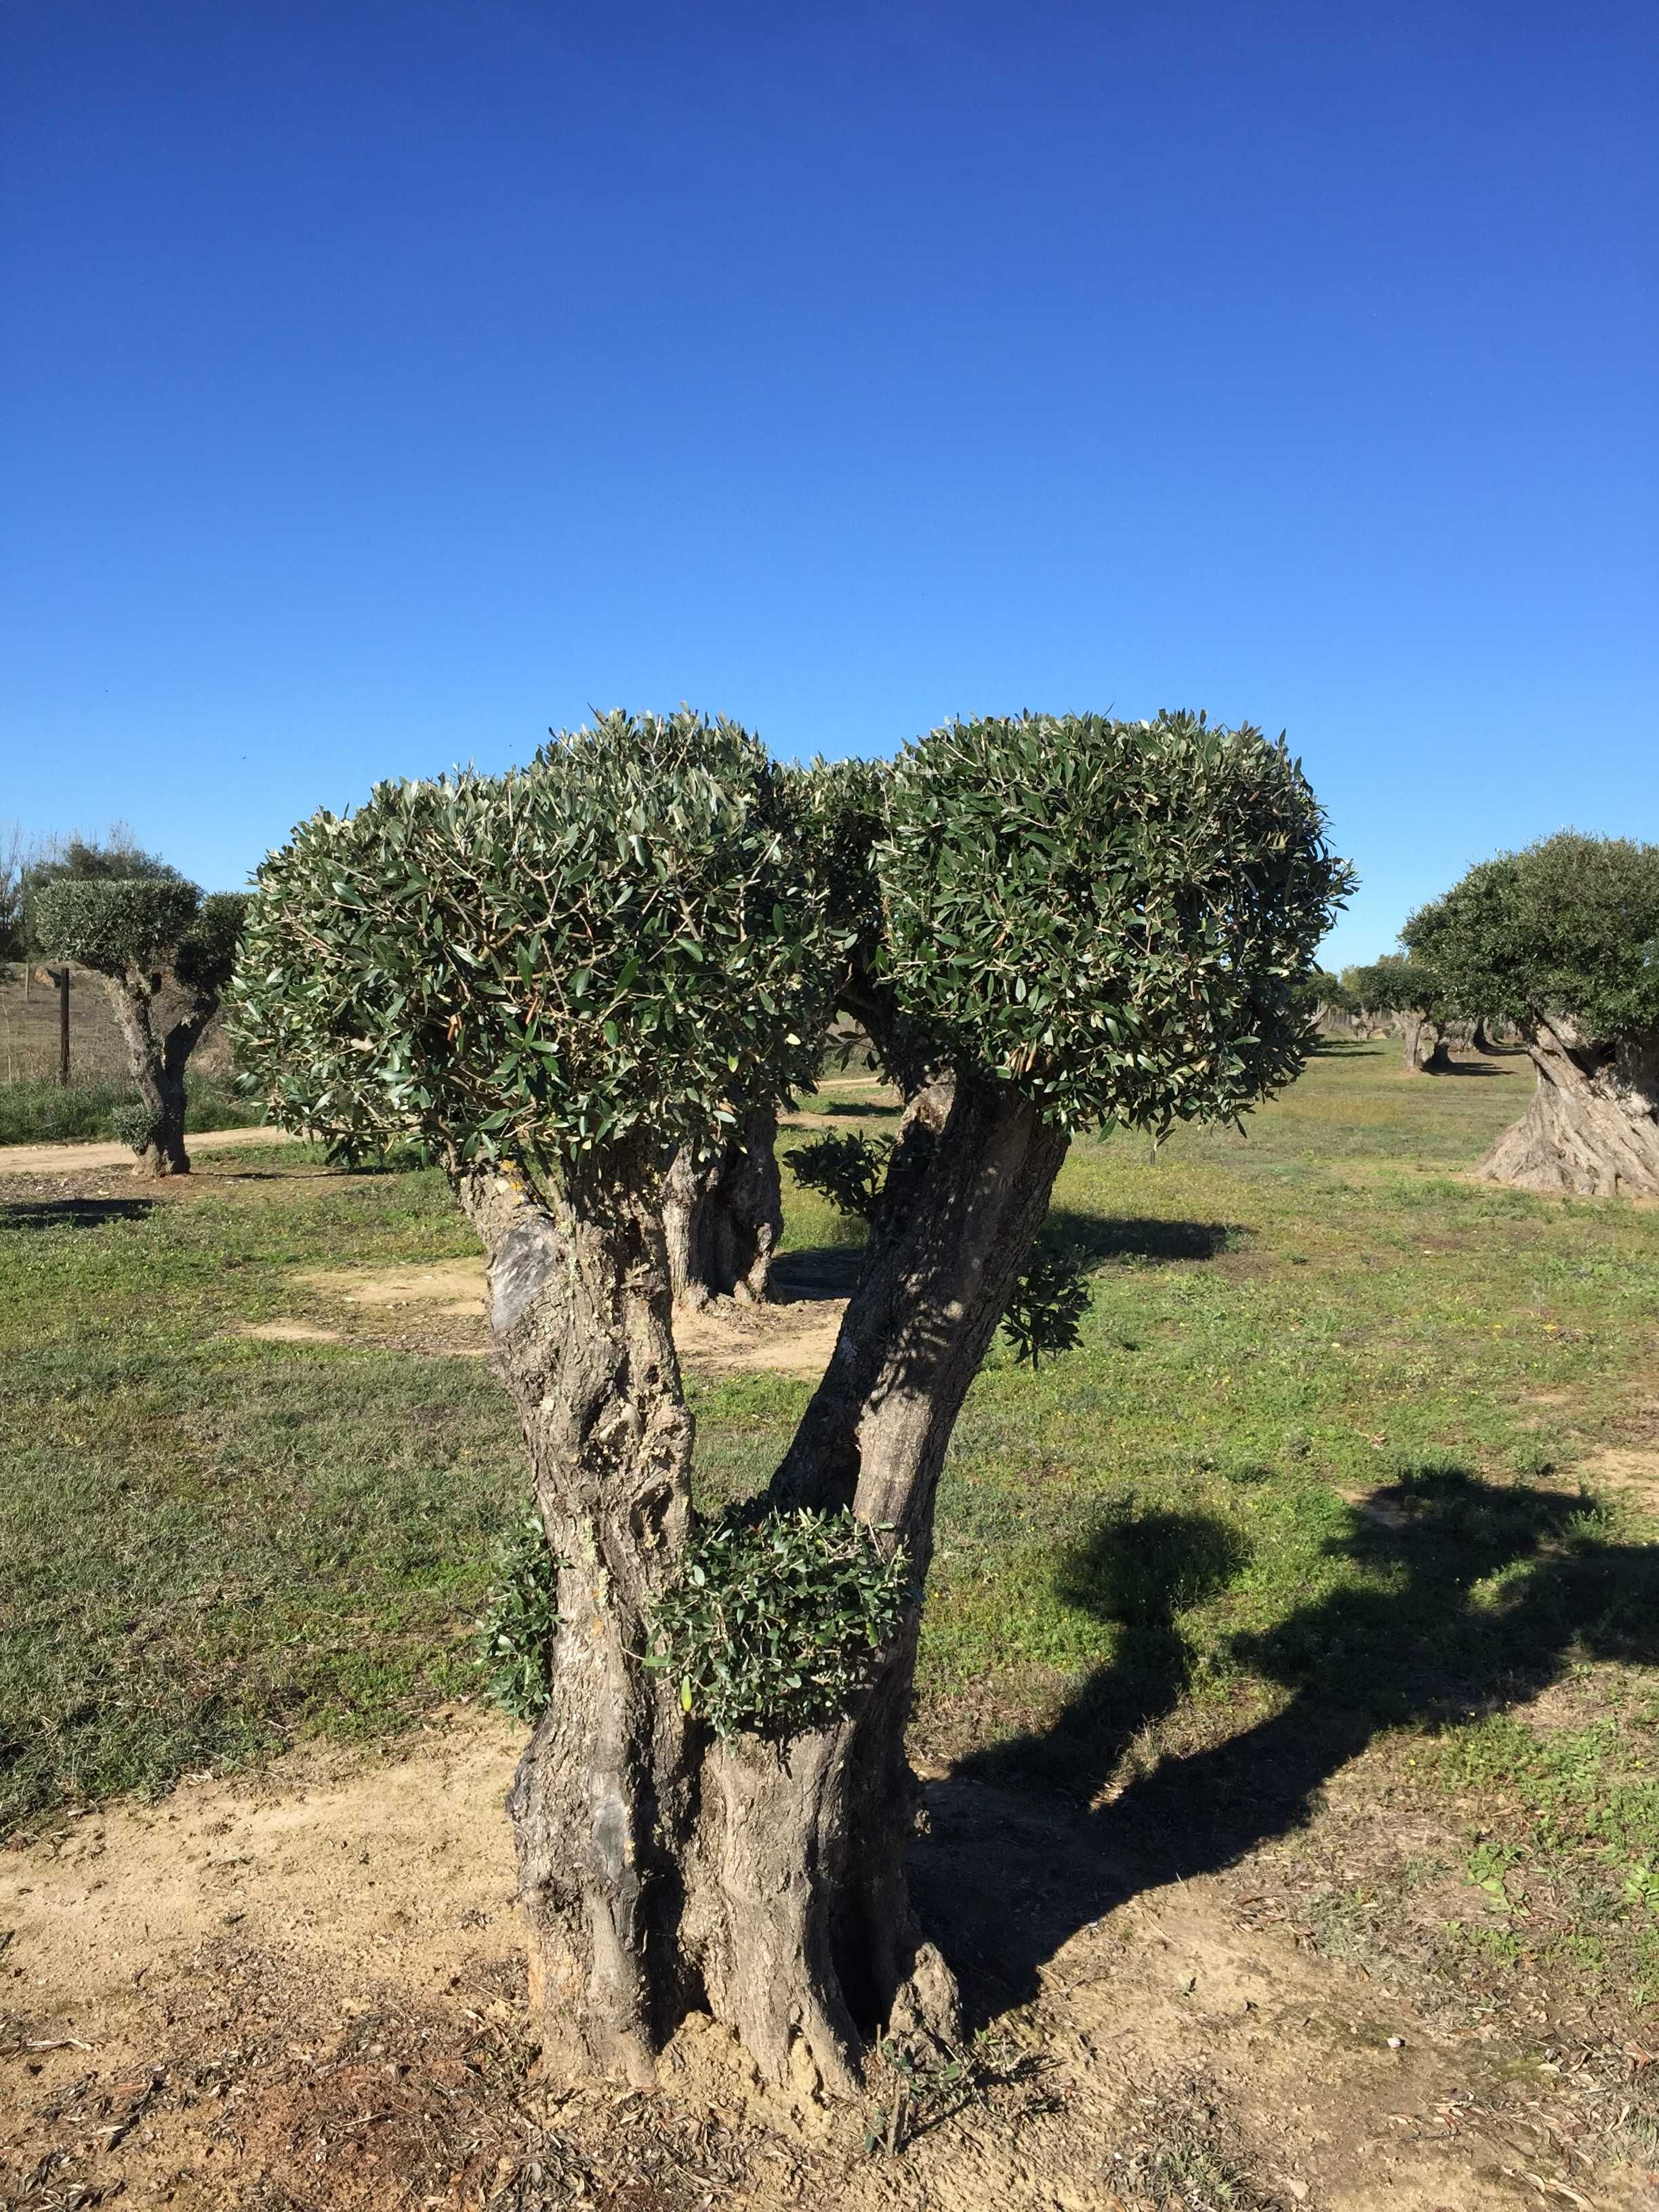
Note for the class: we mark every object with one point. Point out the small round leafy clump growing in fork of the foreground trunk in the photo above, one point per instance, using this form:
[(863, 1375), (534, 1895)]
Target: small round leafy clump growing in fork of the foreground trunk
[(778, 1623)]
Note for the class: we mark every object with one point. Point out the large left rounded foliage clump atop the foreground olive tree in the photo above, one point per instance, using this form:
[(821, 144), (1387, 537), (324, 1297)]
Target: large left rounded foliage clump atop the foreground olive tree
[(567, 963)]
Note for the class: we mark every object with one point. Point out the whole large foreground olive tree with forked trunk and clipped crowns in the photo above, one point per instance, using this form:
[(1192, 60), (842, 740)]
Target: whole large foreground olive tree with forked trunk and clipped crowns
[(559, 979)]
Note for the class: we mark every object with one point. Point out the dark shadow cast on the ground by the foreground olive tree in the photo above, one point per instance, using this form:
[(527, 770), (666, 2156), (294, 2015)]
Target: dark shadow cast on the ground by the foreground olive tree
[(1008, 1877)]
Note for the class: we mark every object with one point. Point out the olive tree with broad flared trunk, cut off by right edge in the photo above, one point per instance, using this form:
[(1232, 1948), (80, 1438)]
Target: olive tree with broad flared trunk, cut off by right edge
[(1563, 939)]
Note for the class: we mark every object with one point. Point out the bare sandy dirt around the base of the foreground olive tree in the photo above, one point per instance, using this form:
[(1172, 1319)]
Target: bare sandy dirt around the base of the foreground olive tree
[(306, 1994)]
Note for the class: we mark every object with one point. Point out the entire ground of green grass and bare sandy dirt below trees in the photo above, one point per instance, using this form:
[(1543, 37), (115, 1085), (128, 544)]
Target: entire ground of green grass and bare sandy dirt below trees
[(1300, 1623)]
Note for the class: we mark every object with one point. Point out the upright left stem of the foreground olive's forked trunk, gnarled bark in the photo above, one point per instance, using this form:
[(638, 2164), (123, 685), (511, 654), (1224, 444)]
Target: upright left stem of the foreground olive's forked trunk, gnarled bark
[(578, 1304)]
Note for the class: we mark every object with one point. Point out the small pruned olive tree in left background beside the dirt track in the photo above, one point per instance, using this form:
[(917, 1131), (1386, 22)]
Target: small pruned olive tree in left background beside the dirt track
[(165, 954)]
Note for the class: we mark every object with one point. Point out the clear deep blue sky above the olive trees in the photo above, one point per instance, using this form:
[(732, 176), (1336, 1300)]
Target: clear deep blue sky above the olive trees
[(390, 382)]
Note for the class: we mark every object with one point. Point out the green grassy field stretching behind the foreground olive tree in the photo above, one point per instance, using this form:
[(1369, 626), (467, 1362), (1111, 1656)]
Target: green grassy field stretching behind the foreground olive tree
[(1333, 1552)]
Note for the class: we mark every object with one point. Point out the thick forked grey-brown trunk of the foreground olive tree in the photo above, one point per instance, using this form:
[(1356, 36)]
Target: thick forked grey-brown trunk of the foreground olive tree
[(662, 1868)]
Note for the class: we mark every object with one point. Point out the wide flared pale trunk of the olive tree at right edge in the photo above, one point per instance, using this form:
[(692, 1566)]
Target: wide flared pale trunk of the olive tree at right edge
[(1594, 1123)]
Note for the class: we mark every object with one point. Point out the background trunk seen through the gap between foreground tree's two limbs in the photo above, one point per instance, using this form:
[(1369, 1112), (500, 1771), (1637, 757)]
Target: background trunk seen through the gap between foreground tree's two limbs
[(724, 1213)]
